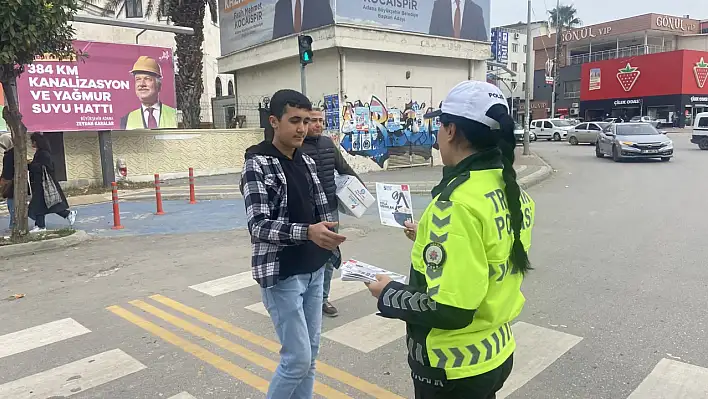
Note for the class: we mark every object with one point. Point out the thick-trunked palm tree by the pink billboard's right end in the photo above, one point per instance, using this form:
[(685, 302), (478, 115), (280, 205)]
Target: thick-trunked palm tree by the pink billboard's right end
[(189, 84)]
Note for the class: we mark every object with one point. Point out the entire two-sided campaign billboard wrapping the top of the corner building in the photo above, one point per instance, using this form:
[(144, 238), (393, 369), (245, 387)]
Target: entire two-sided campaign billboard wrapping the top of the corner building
[(246, 23)]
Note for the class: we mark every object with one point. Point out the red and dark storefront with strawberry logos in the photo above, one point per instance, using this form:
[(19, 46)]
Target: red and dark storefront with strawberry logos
[(670, 87)]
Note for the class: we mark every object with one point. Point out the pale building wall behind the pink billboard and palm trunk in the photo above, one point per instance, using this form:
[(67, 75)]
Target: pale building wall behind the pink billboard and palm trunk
[(111, 34)]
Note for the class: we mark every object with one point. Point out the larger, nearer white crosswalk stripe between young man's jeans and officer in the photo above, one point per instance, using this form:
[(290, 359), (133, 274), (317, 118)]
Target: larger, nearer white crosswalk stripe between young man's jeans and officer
[(367, 333)]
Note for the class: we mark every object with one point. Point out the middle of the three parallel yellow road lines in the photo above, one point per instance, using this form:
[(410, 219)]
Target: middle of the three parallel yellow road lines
[(224, 343)]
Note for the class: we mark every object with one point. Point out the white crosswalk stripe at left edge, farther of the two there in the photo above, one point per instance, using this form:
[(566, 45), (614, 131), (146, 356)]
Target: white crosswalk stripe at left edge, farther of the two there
[(38, 336)]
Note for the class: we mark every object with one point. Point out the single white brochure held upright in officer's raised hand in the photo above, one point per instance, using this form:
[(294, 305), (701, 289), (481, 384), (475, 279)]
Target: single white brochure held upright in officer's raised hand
[(395, 204)]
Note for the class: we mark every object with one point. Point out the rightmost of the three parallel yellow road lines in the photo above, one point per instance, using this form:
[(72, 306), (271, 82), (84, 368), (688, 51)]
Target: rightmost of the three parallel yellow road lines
[(332, 372)]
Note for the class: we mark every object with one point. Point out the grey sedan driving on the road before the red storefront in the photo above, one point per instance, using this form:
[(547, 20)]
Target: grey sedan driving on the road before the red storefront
[(633, 140)]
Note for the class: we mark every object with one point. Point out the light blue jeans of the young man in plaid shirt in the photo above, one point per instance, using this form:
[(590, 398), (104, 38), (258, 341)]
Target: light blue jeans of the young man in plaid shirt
[(295, 307)]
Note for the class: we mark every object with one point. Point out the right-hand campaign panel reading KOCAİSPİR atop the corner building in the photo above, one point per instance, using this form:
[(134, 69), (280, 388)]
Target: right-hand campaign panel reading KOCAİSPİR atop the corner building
[(433, 17)]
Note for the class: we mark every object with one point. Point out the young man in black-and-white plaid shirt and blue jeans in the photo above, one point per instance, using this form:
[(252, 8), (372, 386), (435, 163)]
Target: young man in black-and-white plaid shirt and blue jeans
[(292, 239)]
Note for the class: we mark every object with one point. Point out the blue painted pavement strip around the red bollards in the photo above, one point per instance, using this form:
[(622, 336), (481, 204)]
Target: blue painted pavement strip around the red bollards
[(138, 218)]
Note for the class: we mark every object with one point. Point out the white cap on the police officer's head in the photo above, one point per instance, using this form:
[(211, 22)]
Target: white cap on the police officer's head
[(472, 99)]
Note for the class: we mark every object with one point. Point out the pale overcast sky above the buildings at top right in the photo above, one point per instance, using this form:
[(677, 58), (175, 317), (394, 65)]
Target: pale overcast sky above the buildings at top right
[(505, 12)]
